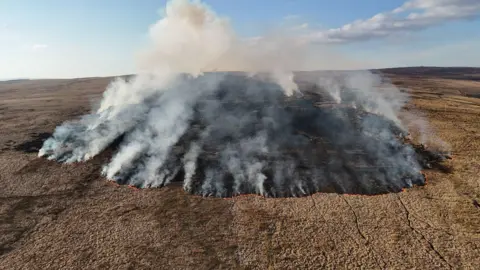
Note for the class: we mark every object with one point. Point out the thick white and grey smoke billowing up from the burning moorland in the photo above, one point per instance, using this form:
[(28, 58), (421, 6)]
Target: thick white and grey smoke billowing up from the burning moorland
[(254, 130)]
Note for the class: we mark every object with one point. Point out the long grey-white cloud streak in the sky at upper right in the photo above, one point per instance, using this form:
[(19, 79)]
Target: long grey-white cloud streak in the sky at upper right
[(413, 15)]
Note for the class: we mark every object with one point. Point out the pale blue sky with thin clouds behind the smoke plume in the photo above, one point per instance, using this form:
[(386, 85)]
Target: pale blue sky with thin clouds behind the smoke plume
[(67, 39)]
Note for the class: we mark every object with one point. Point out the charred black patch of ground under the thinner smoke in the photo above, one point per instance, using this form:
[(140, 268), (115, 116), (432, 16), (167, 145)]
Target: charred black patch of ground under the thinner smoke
[(320, 145)]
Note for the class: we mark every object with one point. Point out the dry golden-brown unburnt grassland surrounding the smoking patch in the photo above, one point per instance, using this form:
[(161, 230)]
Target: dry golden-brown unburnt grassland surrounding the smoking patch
[(55, 216)]
